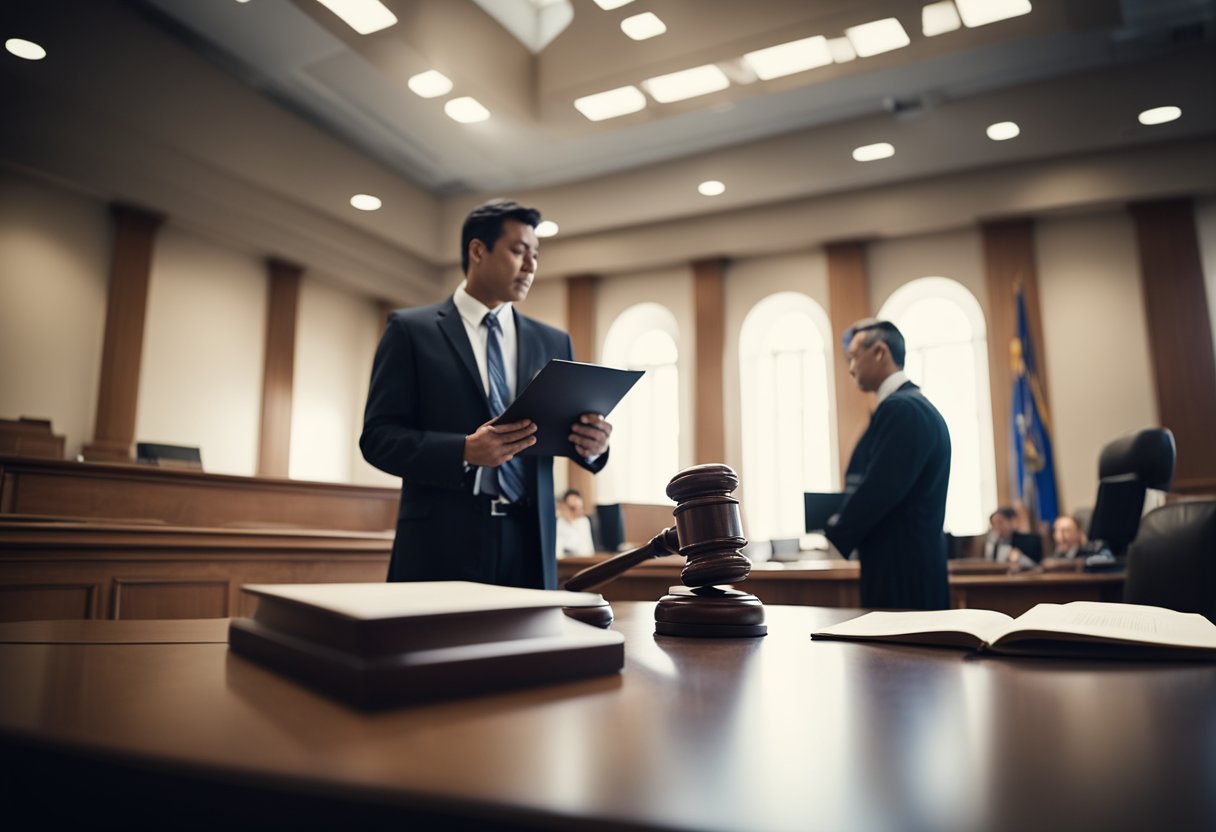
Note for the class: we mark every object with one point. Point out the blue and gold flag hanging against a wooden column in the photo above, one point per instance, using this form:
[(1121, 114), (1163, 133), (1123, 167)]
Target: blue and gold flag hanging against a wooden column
[(1032, 428)]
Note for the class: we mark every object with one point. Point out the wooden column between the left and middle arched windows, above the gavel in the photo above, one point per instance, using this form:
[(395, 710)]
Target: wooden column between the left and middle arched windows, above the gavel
[(710, 305)]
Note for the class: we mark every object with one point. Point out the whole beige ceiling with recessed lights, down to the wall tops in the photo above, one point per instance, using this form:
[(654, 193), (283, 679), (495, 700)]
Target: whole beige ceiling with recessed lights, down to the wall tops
[(256, 122)]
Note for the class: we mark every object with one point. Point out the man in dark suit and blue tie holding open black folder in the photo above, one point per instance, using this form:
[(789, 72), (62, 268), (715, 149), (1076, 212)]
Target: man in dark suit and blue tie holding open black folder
[(472, 510)]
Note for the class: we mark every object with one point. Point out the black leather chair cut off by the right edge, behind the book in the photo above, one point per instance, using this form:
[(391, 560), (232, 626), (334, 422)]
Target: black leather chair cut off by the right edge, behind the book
[(1173, 561)]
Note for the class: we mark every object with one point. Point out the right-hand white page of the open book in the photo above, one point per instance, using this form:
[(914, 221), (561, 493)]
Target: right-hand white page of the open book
[(1113, 622)]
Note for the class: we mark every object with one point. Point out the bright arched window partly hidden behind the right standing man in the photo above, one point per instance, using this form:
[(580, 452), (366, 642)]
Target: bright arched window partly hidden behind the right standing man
[(947, 340)]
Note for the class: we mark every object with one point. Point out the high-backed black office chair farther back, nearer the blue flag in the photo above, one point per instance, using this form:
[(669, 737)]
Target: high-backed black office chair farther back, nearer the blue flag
[(1128, 468)]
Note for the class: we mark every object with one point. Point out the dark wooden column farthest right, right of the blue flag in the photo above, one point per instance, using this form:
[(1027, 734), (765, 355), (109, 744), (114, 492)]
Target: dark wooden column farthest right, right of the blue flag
[(1179, 335)]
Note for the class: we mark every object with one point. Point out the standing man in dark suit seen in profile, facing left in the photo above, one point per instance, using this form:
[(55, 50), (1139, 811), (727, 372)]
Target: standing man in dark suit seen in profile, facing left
[(896, 486)]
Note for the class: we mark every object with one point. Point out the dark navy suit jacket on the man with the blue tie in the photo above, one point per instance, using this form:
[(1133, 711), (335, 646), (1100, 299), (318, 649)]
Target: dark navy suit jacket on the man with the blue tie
[(426, 396)]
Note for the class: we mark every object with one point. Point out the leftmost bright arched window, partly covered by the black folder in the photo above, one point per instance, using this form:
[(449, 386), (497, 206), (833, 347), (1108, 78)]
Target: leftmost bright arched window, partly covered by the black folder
[(646, 424)]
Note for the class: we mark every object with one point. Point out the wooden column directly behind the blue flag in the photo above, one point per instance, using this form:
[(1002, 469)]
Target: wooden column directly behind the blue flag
[(1009, 262)]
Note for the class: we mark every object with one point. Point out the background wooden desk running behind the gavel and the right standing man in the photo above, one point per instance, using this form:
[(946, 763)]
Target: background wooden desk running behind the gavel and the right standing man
[(836, 584)]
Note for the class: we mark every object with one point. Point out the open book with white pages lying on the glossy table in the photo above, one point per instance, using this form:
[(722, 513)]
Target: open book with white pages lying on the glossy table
[(1095, 629)]
